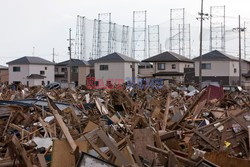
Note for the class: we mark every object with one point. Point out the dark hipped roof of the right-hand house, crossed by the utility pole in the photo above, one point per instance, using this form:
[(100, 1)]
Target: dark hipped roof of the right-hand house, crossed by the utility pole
[(216, 55)]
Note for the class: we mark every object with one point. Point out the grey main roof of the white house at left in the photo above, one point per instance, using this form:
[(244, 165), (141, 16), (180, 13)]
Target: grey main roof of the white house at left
[(30, 60)]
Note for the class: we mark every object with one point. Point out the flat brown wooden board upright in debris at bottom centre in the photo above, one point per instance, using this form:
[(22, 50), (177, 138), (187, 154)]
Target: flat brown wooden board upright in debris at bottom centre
[(142, 138)]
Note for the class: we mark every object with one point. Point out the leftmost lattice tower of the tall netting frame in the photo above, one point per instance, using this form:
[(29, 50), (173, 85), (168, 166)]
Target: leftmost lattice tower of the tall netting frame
[(80, 42)]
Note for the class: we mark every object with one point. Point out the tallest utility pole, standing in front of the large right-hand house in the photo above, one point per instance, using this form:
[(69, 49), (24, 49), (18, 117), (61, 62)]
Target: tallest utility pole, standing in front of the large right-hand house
[(201, 28)]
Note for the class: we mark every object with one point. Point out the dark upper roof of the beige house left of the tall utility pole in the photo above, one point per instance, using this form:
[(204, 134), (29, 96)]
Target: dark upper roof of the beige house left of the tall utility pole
[(168, 57)]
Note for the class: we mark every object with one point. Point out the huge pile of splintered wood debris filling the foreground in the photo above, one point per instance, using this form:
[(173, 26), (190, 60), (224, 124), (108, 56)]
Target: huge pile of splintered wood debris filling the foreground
[(172, 126)]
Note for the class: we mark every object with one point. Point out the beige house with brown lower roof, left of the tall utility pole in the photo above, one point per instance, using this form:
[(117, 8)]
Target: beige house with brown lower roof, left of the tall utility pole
[(169, 66)]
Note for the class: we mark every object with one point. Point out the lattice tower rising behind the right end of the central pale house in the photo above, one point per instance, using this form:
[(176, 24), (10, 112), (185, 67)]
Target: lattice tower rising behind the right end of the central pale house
[(139, 39)]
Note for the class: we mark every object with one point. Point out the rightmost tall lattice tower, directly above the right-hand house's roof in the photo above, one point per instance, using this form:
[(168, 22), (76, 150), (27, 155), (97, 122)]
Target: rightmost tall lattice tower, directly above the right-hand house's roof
[(217, 28)]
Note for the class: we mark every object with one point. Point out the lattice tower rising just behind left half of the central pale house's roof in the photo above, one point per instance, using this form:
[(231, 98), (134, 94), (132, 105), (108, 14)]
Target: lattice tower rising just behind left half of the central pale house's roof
[(104, 34)]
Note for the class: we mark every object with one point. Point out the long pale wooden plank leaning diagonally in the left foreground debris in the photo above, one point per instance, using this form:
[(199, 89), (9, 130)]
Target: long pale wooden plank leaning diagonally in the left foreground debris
[(64, 128)]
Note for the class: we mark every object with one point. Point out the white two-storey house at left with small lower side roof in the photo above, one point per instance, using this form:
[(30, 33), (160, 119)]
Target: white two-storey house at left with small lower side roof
[(31, 71)]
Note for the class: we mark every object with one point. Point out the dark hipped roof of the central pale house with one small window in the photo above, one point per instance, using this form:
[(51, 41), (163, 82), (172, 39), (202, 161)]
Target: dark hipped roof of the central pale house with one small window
[(115, 57)]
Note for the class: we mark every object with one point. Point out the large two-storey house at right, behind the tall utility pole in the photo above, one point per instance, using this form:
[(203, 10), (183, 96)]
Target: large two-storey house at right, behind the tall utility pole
[(221, 68)]
